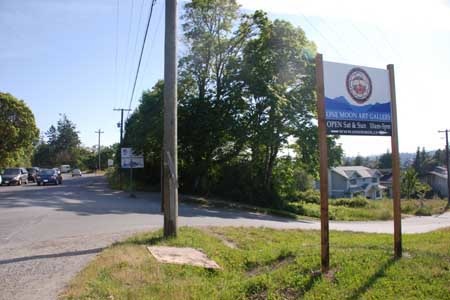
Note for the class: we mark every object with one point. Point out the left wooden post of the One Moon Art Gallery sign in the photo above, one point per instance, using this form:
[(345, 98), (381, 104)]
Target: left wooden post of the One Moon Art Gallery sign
[(324, 228)]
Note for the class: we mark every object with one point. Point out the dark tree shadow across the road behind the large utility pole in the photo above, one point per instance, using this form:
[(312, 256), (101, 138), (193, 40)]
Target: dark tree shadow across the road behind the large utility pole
[(91, 195)]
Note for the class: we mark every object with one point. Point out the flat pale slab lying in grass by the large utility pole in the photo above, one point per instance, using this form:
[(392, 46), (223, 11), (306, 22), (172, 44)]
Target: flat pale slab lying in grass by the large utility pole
[(183, 256)]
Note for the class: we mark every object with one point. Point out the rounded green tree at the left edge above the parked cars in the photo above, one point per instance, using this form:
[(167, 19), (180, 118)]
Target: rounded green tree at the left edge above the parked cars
[(18, 131)]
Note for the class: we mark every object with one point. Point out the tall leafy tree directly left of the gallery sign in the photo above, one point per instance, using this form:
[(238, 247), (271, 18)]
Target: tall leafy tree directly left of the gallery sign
[(278, 77)]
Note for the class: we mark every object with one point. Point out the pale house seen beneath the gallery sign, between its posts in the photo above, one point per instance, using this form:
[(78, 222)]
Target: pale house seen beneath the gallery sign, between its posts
[(355, 181)]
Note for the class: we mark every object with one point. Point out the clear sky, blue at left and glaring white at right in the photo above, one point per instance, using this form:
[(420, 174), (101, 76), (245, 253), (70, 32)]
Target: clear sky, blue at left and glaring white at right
[(60, 57)]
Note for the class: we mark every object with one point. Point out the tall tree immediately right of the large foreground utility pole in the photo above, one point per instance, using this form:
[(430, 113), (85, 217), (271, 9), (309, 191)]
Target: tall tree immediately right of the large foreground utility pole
[(208, 96)]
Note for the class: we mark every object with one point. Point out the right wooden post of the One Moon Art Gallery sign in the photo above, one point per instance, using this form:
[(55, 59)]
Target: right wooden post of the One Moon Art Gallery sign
[(395, 168)]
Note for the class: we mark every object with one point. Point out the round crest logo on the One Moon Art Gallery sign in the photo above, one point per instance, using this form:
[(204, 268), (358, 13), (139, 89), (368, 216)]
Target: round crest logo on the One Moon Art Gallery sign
[(359, 85)]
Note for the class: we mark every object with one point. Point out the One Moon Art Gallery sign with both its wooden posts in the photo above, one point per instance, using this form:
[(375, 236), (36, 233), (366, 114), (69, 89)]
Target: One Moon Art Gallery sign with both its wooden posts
[(354, 100)]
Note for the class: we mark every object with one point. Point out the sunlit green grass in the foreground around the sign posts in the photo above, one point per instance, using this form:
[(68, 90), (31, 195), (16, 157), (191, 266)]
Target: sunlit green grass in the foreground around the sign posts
[(271, 264)]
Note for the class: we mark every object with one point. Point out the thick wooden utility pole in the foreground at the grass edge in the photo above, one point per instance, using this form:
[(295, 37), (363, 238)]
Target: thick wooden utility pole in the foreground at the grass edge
[(170, 180)]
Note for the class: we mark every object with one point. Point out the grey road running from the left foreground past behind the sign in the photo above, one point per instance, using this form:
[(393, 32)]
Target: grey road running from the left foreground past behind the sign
[(47, 234)]
